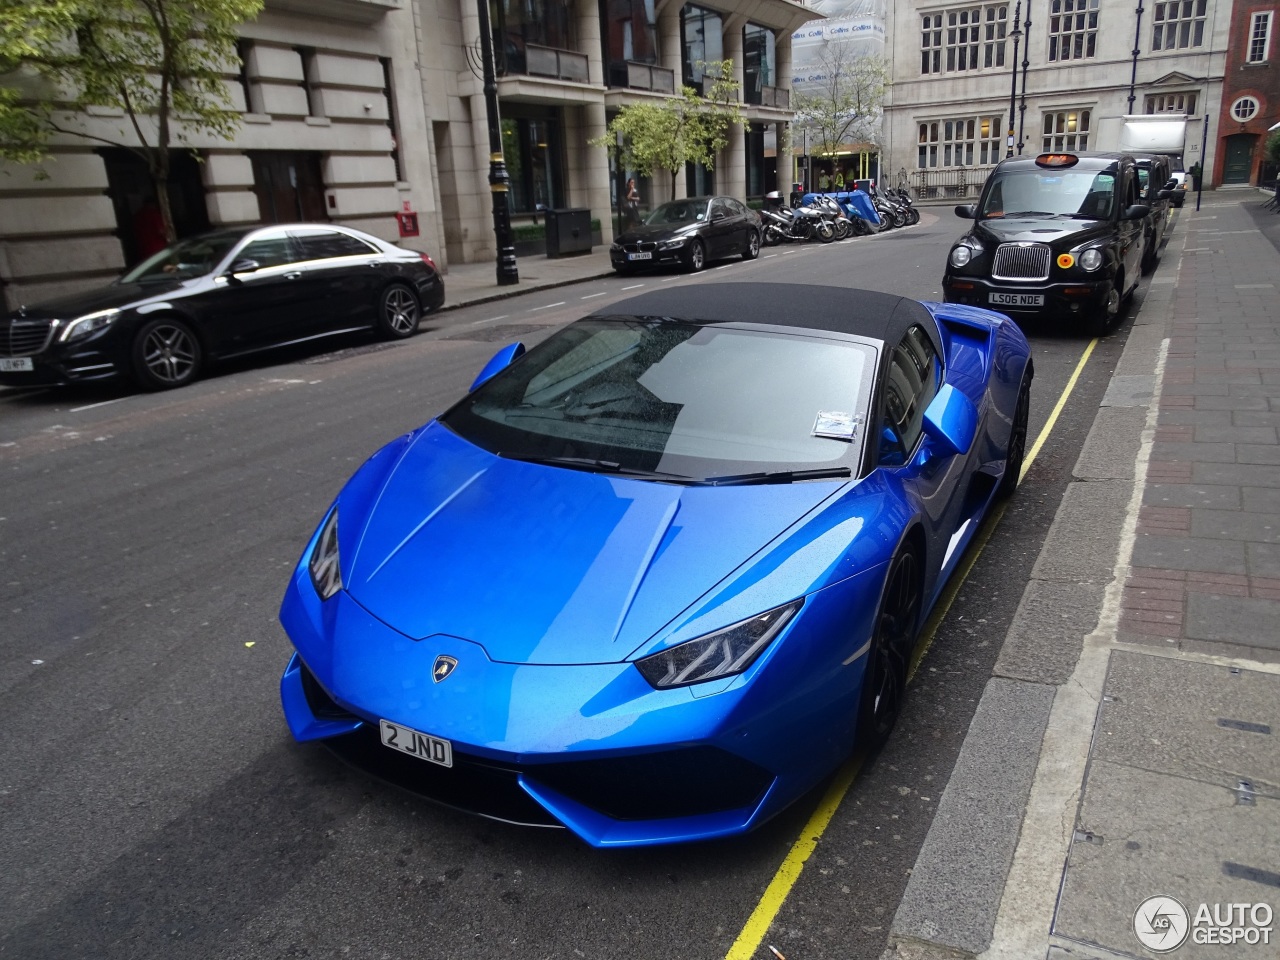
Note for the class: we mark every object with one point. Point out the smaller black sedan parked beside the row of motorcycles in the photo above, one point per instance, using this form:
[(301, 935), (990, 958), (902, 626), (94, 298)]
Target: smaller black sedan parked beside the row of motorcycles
[(689, 234)]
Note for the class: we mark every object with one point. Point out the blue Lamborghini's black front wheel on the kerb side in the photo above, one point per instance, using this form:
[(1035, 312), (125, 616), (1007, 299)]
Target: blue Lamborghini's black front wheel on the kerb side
[(898, 623)]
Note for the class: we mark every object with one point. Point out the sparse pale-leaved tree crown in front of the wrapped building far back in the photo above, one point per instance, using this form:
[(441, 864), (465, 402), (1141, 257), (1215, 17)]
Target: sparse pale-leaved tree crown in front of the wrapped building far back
[(843, 103)]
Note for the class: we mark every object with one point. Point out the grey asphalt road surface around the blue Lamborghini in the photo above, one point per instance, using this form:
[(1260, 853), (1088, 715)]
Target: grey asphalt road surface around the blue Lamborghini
[(152, 801)]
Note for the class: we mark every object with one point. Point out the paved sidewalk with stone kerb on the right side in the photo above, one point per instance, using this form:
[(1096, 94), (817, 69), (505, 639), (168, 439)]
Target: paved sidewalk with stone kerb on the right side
[(1153, 728)]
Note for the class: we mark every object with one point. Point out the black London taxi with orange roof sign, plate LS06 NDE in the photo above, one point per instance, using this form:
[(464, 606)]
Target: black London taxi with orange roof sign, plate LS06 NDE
[(1055, 236)]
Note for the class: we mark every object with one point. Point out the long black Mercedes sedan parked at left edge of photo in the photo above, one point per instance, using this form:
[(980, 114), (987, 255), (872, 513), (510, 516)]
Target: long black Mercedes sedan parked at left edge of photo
[(221, 295)]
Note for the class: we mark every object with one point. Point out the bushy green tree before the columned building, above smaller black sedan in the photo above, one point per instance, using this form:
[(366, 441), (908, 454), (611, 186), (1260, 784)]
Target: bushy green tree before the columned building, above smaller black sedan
[(678, 131)]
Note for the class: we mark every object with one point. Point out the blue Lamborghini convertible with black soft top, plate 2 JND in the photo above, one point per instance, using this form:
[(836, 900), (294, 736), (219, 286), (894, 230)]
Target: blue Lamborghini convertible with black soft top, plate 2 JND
[(656, 578)]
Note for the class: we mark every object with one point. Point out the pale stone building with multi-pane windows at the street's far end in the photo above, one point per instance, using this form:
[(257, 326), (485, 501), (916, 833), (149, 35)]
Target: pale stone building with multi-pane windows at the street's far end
[(1071, 74)]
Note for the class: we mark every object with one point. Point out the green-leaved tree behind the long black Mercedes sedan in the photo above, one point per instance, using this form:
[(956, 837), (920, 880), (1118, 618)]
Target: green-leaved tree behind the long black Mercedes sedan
[(159, 62)]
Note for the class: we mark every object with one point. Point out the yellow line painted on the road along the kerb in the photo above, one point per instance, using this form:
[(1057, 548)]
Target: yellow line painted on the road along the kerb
[(793, 866)]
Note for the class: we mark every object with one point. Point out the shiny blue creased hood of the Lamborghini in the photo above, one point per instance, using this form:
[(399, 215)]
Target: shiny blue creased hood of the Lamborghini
[(547, 565)]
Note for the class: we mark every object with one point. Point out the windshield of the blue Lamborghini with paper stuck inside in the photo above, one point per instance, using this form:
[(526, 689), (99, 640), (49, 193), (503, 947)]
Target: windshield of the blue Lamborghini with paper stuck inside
[(679, 399)]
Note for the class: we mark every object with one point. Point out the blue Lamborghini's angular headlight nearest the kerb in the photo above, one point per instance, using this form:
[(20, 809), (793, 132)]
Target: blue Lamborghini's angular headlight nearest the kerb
[(721, 655)]
